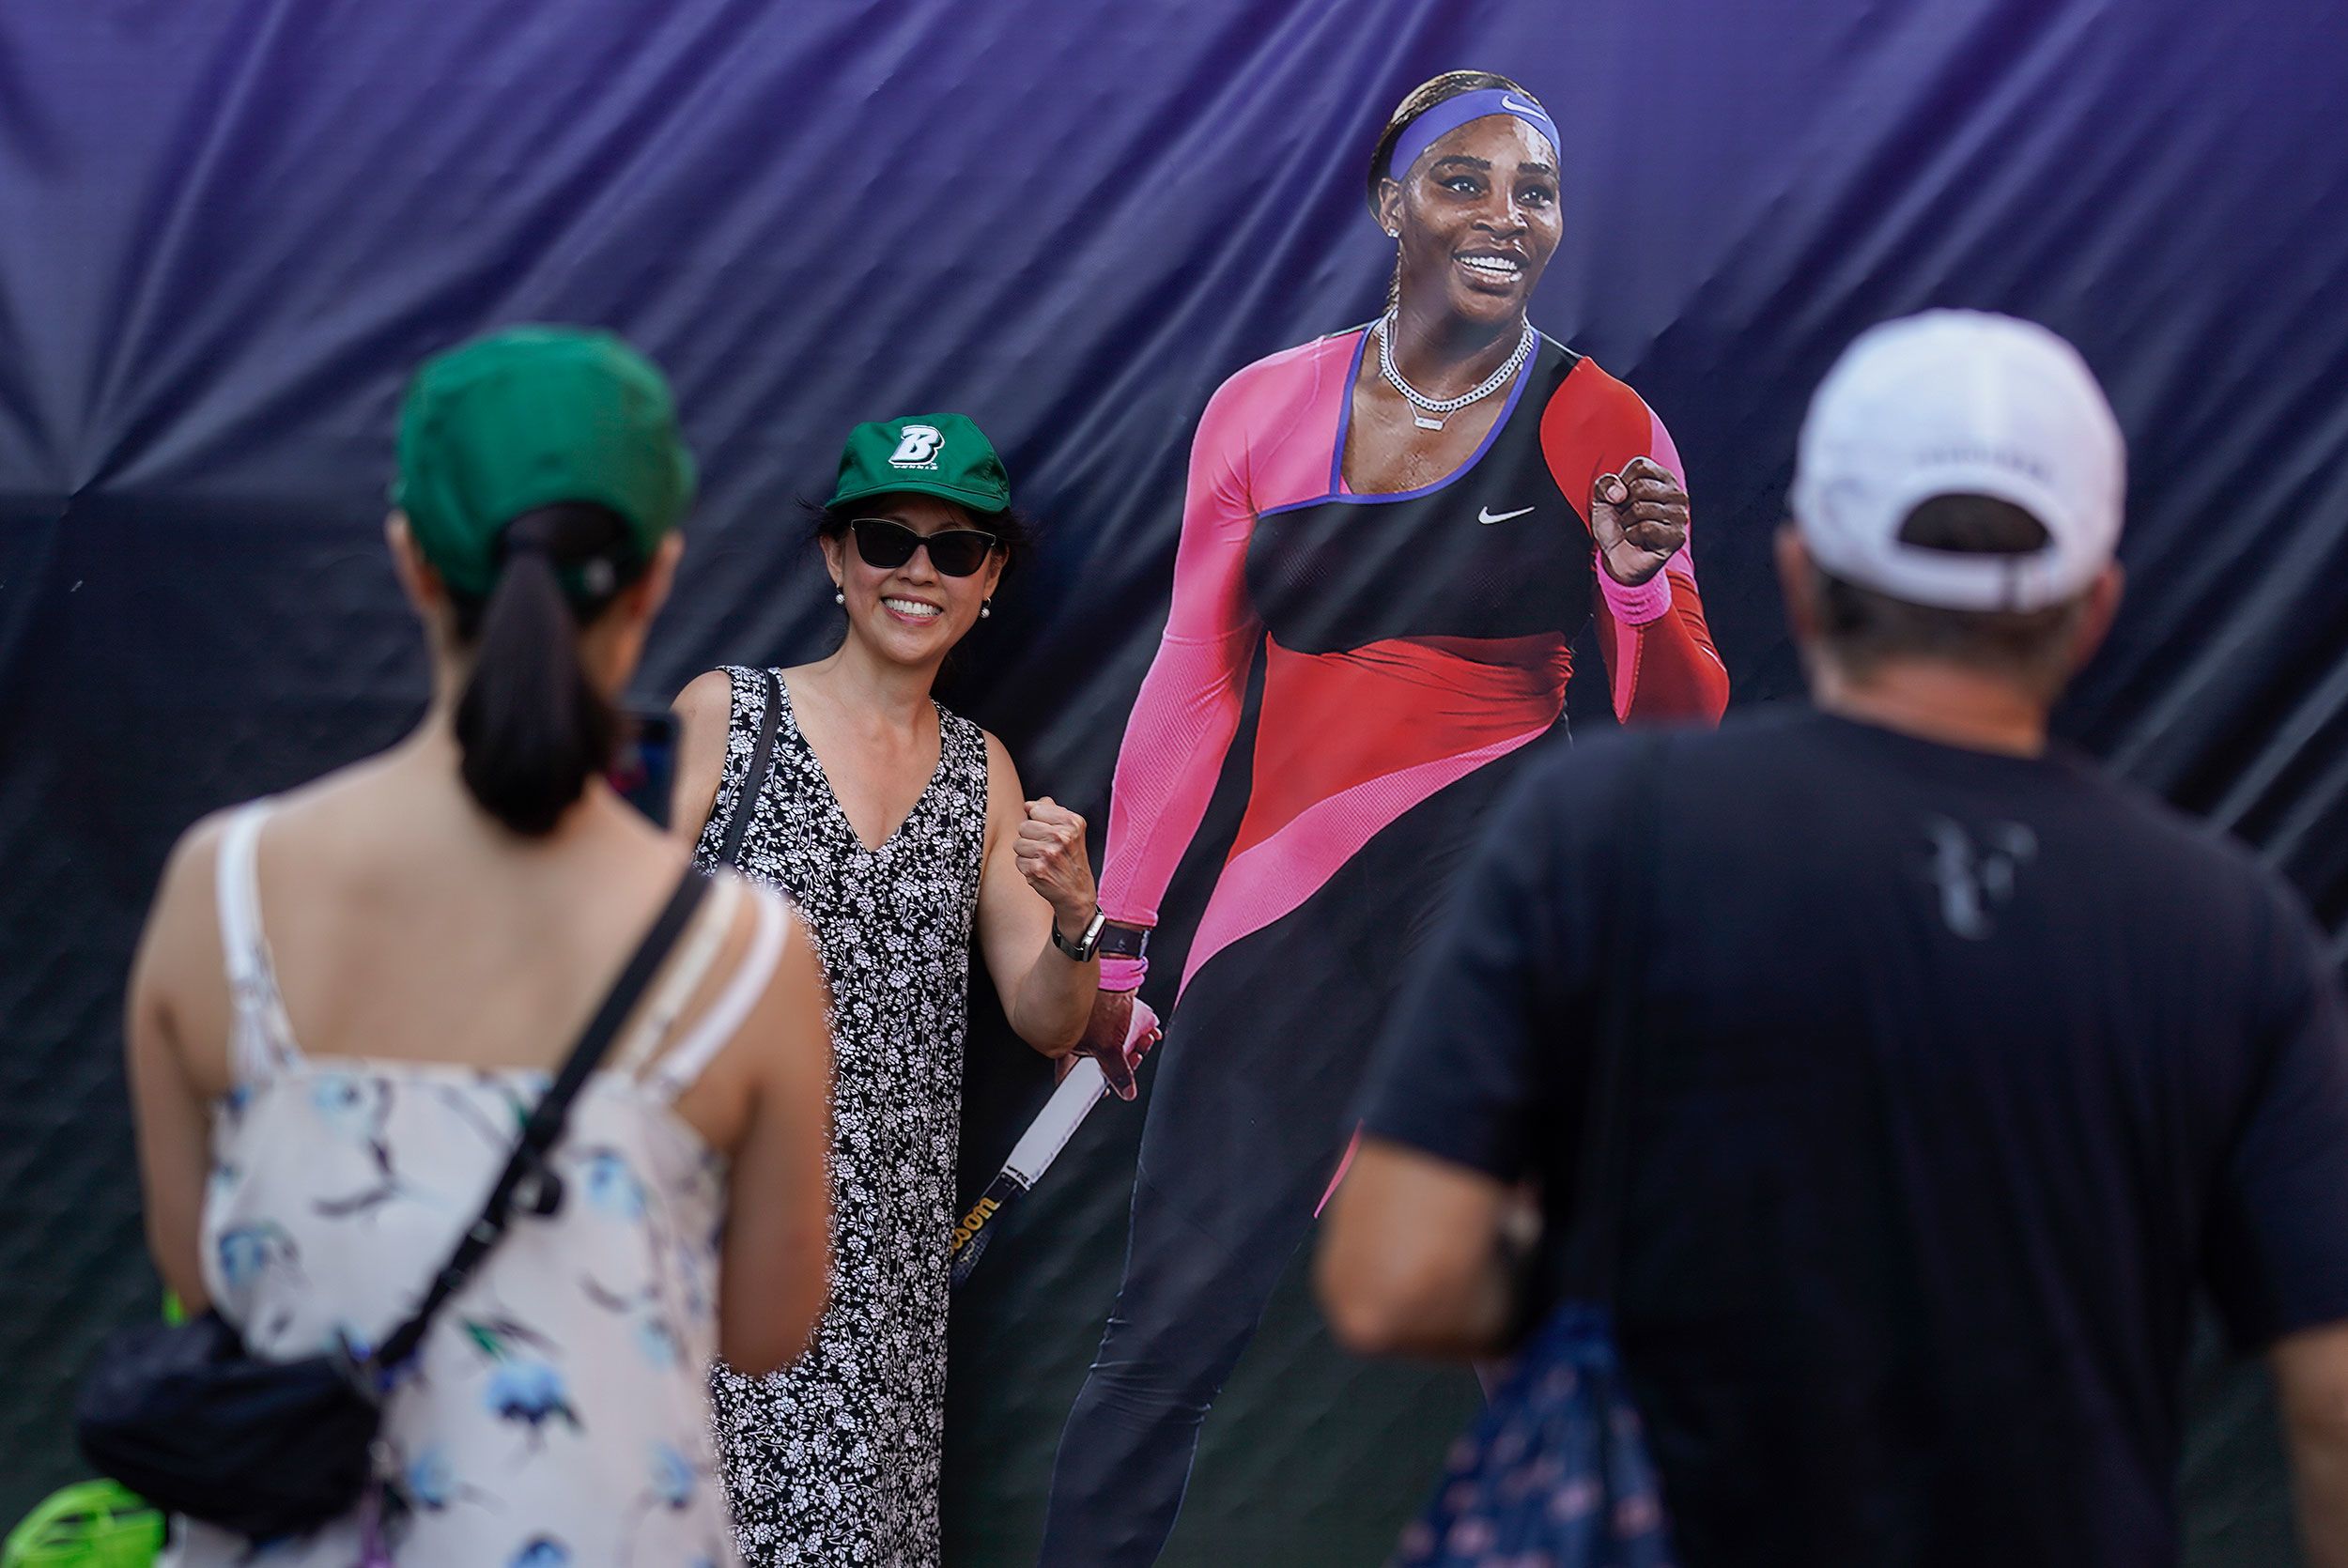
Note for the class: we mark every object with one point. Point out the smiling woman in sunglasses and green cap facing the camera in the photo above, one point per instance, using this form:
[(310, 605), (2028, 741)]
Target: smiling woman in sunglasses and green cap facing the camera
[(898, 830)]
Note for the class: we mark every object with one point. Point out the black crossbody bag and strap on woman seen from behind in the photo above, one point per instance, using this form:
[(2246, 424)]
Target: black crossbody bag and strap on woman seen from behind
[(198, 1426)]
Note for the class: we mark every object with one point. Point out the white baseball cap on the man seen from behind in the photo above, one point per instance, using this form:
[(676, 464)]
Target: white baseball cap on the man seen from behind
[(1962, 403)]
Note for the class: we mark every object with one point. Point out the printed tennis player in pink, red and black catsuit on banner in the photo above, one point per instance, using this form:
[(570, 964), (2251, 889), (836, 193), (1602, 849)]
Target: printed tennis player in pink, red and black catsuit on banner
[(1408, 525)]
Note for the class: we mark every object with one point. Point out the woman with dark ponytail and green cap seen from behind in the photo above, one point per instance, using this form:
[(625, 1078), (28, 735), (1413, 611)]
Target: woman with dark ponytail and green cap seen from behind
[(349, 999)]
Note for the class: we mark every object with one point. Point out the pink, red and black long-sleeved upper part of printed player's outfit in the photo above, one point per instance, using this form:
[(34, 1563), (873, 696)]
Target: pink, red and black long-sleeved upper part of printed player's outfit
[(1410, 640)]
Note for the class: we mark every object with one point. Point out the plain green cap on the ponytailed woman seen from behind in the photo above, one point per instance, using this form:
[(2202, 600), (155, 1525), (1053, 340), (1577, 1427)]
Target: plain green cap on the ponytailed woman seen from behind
[(527, 419)]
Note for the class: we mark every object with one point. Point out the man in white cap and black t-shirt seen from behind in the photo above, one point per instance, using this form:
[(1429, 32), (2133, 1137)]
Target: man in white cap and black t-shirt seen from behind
[(1955, 1067)]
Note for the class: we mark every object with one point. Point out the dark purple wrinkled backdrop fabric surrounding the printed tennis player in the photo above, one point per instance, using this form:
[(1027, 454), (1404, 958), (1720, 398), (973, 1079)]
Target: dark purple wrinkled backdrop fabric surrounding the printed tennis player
[(229, 229)]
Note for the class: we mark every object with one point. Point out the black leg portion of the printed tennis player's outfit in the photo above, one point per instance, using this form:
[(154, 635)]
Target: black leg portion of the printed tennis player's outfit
[(1248, 1121)]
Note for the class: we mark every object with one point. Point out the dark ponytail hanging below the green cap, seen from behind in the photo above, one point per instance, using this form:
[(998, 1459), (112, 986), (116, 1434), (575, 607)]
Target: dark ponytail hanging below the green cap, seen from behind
[(532, 726)]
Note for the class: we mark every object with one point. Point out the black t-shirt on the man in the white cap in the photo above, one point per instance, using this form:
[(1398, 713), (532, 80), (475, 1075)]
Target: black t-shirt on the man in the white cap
[(1955, 1076)]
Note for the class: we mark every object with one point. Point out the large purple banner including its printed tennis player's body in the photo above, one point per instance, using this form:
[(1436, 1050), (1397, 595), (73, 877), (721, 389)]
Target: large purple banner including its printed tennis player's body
[(227, 231)]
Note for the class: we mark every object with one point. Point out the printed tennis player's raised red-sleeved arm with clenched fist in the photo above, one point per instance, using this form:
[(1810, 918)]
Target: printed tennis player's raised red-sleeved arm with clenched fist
[(1610, 447)]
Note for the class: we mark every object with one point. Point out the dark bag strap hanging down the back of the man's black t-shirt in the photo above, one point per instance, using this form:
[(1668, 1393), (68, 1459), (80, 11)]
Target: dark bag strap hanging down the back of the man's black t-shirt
[(1605, 1172)]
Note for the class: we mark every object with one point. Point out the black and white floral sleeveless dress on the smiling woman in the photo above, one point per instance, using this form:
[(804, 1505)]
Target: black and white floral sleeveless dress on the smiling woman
[(835, 1461)]
